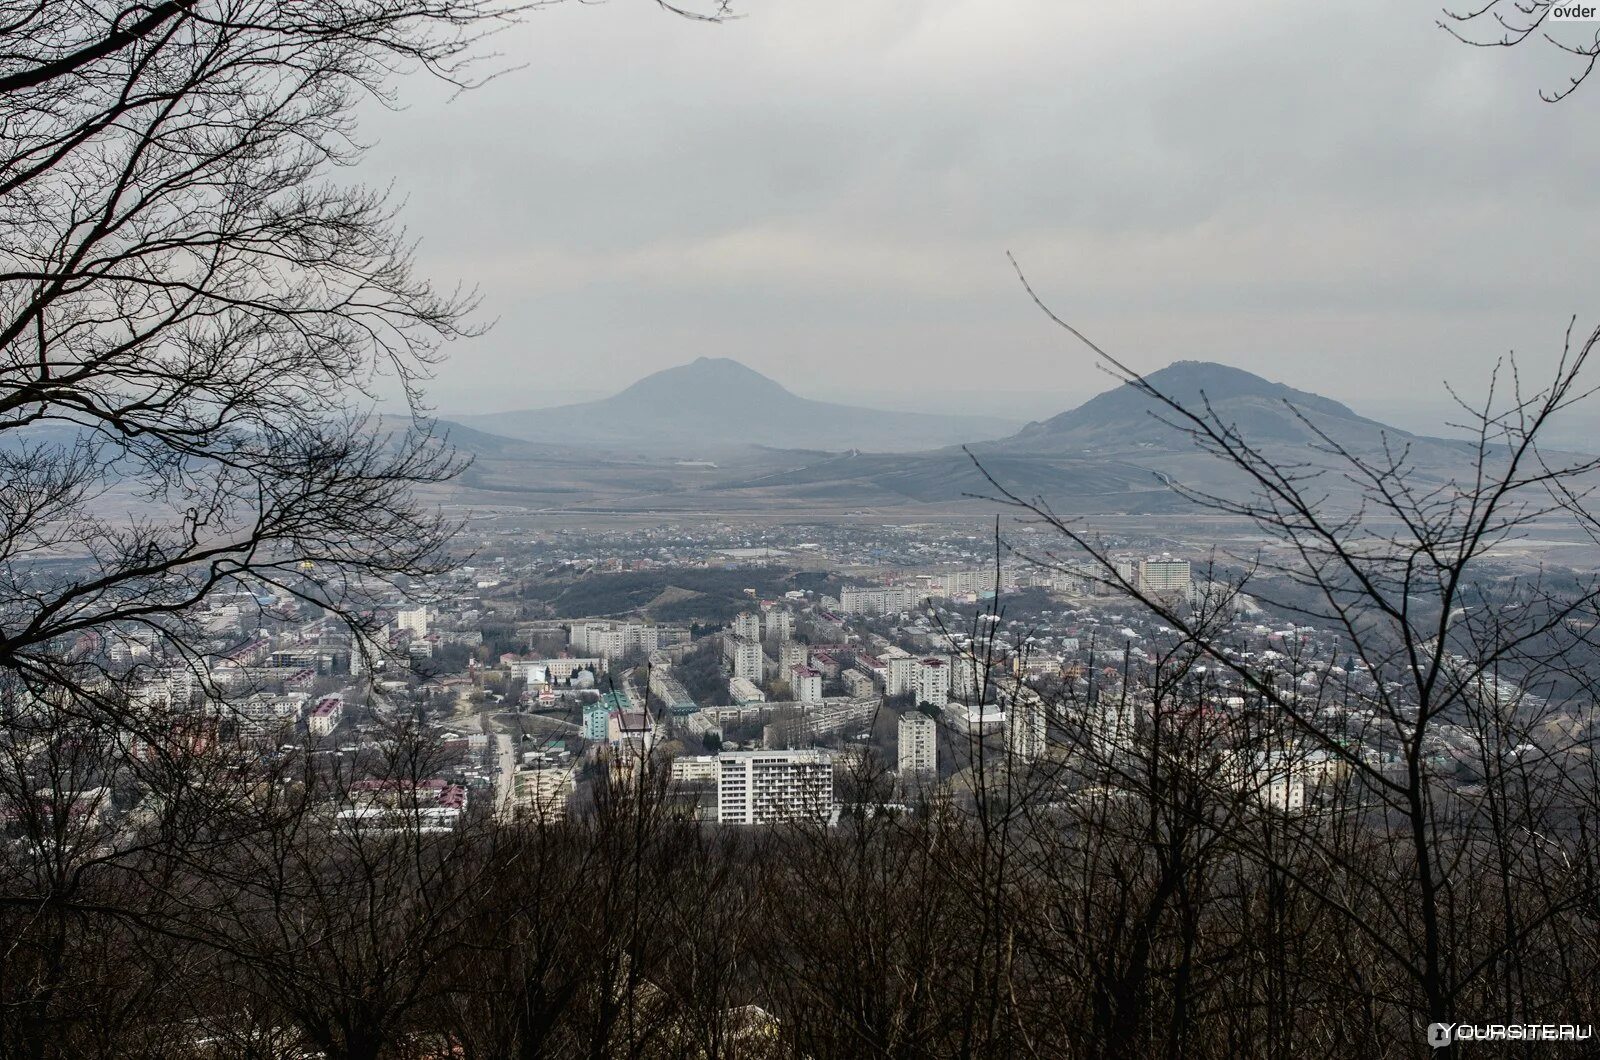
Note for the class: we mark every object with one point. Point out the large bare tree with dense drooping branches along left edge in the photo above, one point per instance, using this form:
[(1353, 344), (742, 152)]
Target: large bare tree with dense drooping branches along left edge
[(199, 315)]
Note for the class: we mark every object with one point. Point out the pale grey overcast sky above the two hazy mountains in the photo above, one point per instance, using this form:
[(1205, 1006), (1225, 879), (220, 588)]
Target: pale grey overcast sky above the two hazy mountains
[(1330, 195)]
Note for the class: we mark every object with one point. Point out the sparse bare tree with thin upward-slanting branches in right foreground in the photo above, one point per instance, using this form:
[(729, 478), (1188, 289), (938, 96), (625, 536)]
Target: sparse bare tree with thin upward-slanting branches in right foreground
[(1452, 659)]
